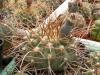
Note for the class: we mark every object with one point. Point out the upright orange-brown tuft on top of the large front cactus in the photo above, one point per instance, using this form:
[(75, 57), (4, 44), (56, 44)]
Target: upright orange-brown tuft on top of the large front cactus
[(52, 29)]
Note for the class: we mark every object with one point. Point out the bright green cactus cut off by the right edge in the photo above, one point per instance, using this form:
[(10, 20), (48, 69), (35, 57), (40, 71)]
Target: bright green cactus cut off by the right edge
[(95, 33)]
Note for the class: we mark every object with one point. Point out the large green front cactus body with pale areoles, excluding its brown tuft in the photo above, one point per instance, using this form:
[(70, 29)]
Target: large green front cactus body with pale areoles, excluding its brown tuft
[(49, 54)]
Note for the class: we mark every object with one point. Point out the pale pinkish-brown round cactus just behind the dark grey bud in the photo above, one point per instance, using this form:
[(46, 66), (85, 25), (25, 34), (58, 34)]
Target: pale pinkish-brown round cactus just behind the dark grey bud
[(78, 21)]
